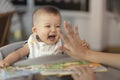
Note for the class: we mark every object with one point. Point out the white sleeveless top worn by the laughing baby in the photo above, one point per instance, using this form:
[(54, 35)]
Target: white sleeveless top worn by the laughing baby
[(38, 49)]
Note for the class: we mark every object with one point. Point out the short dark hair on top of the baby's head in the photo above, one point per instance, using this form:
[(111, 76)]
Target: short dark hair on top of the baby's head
[(45, 9)]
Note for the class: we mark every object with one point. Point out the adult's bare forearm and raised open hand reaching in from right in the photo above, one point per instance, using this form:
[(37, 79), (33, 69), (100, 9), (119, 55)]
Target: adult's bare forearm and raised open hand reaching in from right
[(72, 48)]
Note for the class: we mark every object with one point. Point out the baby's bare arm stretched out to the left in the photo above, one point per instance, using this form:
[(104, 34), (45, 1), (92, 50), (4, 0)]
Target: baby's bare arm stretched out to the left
[(15, 56)]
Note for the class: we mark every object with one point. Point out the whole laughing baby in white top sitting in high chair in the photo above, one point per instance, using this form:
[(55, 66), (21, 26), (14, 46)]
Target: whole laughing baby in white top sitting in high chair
[(44, 40)]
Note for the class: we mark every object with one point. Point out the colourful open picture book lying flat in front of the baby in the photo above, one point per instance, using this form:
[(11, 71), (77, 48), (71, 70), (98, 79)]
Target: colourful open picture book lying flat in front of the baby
[(58, 68)]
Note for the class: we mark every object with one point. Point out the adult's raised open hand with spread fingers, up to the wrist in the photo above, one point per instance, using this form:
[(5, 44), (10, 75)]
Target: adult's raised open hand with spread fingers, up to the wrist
[(72, 42)]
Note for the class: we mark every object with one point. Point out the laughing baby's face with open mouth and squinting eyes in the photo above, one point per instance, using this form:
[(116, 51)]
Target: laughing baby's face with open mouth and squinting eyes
[(47, 28)]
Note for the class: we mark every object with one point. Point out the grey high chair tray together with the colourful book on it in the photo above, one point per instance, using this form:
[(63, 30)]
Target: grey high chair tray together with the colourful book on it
[(51, 65)]
